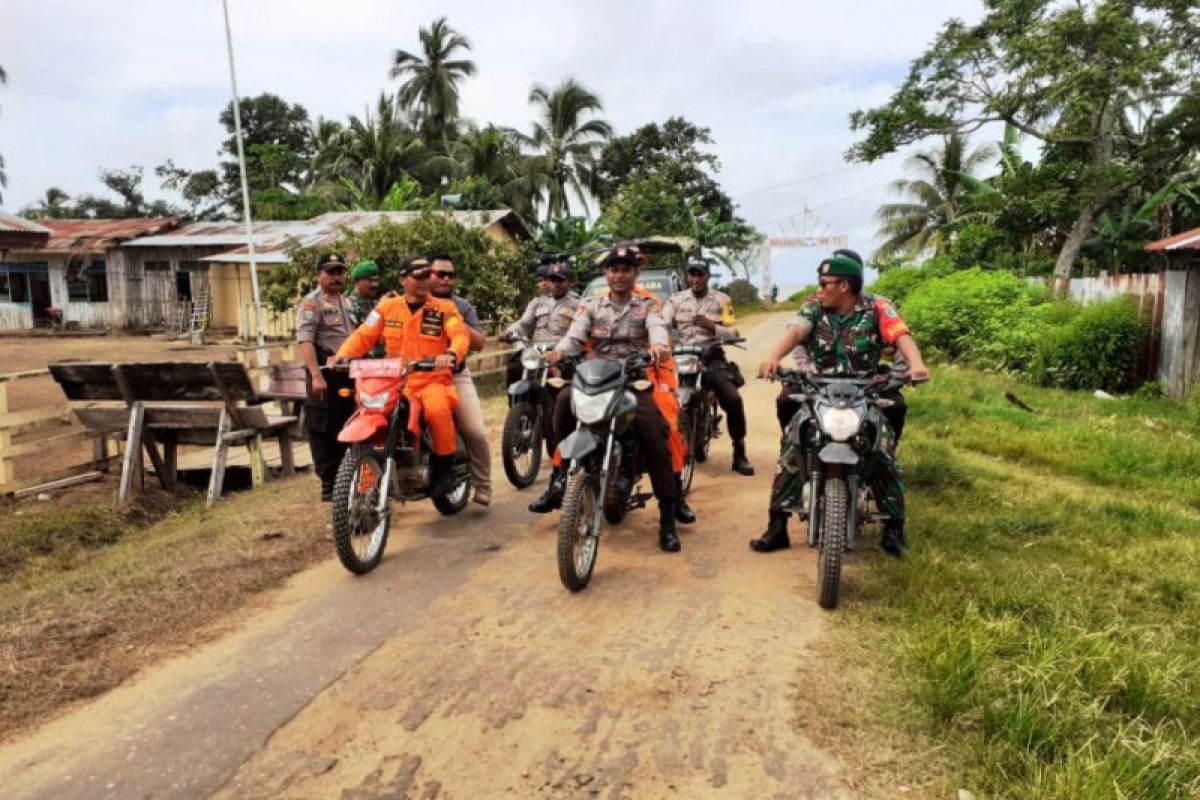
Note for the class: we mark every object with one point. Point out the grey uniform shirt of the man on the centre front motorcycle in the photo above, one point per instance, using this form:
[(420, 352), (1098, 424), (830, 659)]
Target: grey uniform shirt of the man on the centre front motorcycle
[(614, 330)]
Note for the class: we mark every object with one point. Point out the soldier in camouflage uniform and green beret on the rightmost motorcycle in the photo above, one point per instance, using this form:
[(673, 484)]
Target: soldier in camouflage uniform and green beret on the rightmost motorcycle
[(845, 332)]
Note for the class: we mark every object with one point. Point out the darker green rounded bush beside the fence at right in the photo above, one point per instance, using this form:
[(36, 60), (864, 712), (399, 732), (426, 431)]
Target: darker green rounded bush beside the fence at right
[(1096, 350)]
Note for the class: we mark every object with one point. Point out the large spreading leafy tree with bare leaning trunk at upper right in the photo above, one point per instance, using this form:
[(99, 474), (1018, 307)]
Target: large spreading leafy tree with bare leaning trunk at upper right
[(1069, 75)]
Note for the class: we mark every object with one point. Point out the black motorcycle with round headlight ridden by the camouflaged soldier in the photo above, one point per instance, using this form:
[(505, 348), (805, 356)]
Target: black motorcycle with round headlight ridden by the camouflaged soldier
[(841, 432)]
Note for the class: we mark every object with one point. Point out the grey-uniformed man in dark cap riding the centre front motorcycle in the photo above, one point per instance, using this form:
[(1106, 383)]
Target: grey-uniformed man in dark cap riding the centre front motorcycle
[(616, 326)]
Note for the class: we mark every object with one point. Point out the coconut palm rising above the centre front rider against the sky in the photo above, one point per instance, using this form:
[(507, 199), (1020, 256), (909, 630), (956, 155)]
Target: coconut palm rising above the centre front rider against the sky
[(566, 143)]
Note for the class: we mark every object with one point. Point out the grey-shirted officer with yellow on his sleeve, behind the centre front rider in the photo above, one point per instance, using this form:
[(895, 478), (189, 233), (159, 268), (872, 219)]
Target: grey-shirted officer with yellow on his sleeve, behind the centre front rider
[(703, 316)]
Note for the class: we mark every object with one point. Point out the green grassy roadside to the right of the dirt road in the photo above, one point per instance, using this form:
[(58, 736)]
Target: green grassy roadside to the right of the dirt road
[(1043, 637)]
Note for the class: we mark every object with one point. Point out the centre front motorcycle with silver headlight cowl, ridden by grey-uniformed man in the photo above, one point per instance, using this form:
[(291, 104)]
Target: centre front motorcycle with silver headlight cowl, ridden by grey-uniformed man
[(605, 461)]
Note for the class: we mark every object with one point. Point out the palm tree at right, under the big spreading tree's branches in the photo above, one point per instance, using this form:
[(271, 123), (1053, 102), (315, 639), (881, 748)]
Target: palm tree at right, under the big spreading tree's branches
[(937, 200)]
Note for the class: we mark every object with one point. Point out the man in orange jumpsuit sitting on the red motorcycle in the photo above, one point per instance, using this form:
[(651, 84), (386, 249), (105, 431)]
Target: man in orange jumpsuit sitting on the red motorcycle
[(417, 326)]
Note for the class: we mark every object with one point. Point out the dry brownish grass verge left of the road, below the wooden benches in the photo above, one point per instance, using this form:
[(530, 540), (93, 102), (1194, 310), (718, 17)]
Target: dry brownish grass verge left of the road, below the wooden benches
[(82, 616)]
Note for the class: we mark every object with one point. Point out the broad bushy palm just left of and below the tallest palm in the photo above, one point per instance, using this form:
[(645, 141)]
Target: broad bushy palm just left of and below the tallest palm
[(374, 153)]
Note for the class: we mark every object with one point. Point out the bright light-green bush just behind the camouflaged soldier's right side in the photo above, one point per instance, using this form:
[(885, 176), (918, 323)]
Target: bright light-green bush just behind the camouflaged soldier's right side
[(985, 318)]
